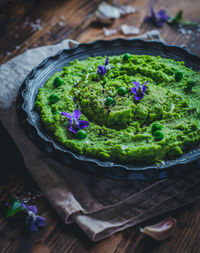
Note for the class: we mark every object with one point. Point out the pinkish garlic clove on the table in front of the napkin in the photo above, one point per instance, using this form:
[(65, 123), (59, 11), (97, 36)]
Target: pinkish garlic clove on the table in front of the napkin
[(161, 230)]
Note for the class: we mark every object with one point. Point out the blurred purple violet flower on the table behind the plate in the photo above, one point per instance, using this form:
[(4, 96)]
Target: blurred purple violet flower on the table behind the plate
[(158, 18)]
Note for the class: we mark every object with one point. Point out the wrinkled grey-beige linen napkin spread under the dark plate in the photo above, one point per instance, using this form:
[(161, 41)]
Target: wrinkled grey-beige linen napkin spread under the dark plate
[(100, 206)]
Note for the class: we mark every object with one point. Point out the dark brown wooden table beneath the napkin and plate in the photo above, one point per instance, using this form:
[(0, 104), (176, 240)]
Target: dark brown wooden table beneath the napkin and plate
[(72, 19)]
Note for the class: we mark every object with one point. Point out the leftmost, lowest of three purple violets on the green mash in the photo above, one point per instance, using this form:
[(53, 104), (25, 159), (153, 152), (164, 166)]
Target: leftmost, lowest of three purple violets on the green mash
[(74, 123)]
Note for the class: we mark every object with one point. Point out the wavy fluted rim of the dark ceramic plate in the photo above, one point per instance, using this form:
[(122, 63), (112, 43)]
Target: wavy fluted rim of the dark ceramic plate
[(24, 122)]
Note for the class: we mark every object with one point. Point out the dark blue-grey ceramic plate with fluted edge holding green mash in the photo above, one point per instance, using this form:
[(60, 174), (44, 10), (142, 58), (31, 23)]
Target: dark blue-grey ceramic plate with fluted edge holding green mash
[(29, 118)]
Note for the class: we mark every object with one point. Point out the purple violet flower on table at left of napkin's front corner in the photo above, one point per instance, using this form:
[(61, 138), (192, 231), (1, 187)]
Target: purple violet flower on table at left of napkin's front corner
[(33, 220)]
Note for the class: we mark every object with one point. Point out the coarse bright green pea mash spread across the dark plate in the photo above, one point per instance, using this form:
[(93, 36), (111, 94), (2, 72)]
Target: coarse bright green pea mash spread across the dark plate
[(122, 130)]
